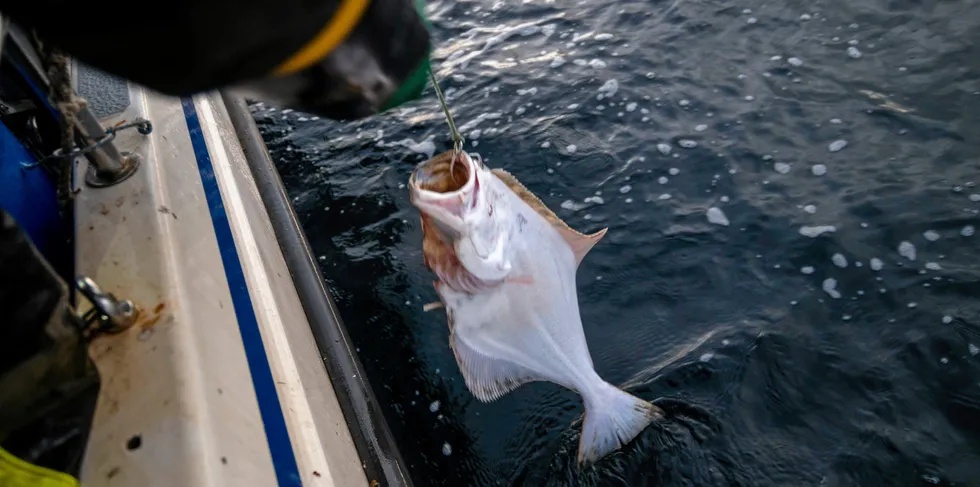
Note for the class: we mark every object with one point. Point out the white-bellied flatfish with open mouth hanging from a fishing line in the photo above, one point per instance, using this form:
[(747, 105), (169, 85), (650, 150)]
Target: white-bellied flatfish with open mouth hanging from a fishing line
[(506, 268)]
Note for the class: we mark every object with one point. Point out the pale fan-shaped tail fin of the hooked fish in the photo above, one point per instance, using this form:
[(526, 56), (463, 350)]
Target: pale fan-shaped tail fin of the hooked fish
[(612, 419)]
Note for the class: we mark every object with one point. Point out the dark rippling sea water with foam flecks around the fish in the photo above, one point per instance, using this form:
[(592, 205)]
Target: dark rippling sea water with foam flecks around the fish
[(782, 357)]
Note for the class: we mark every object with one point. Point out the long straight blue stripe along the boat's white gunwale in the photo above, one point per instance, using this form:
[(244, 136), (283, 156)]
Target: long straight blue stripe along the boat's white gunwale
[(283, 459)]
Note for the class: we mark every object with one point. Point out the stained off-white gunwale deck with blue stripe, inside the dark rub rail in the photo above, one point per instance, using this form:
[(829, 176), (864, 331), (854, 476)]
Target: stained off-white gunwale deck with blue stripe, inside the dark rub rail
[(220, 382)]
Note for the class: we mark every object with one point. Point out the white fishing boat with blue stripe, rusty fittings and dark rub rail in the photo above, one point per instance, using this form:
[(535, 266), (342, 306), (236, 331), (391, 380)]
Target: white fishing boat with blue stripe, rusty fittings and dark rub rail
[(165, 321)]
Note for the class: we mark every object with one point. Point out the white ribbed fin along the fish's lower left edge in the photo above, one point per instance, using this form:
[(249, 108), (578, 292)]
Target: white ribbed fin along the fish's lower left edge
[(486, 377)]
